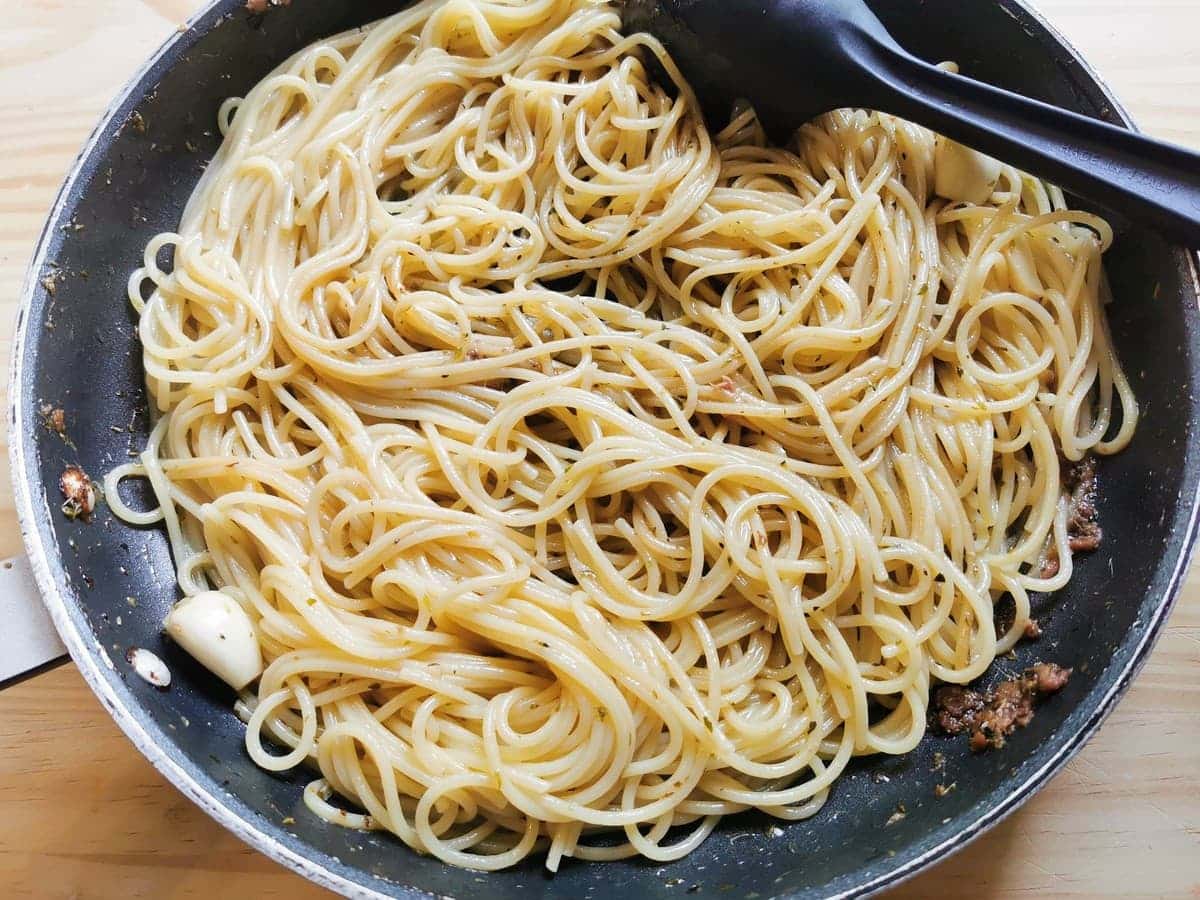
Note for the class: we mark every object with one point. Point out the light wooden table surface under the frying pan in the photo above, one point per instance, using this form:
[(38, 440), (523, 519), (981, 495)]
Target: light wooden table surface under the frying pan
[(83, 815)]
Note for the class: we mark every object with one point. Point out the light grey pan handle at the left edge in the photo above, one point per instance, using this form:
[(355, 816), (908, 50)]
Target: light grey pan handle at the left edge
[(29, 639)]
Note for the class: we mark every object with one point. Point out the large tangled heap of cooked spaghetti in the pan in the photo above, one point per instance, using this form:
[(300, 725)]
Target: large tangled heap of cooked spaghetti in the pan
[(553, 476)]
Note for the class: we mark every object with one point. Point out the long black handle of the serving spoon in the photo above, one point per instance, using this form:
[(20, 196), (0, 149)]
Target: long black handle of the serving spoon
[(1147, 181)]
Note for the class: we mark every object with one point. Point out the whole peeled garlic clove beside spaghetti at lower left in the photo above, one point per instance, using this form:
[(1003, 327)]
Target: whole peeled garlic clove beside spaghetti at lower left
[(219, 634)]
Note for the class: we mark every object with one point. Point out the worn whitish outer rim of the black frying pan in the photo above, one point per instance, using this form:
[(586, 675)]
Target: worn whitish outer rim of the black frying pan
[(91, 659)]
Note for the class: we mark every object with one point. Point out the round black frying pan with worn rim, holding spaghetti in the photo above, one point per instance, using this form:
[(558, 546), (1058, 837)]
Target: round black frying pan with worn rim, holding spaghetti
[(76, 350)]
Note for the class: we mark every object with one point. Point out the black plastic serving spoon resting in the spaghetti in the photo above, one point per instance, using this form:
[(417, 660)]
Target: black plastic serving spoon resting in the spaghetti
[(796, 59)]
